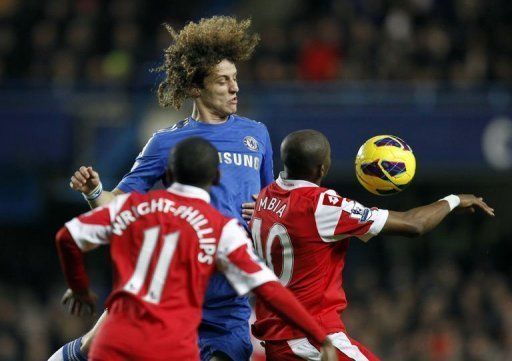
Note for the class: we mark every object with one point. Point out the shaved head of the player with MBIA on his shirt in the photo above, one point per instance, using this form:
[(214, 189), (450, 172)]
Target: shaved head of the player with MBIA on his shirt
[(306, 154)]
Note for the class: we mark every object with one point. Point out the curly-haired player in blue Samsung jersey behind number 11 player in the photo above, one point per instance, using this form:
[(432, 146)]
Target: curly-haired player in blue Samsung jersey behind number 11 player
[(200, 64)]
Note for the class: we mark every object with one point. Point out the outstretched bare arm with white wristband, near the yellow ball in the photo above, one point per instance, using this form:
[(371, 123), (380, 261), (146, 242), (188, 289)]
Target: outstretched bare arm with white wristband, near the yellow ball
[(420, 220)]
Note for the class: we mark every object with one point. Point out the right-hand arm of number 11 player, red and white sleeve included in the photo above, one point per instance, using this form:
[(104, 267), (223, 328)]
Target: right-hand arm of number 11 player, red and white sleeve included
[(246, 273)]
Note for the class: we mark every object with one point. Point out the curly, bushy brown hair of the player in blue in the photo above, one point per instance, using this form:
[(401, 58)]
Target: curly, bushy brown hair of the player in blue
[(196, 49)]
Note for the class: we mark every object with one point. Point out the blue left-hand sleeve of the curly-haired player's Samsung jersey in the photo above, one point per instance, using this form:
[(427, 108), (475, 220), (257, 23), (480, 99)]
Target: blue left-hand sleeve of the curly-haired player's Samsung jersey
[(149, 167)]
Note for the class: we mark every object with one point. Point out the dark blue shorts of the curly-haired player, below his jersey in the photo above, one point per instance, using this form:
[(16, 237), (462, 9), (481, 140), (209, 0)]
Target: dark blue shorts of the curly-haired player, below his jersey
[(235, 343)]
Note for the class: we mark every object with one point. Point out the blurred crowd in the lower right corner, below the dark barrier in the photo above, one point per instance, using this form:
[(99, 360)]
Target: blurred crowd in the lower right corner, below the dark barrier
[(441, 314)]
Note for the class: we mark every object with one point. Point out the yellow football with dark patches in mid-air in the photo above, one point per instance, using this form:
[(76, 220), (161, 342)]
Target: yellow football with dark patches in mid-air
[(385, 165)]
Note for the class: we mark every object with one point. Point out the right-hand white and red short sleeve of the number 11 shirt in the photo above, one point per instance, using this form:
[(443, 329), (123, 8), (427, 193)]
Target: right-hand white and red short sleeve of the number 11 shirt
[(236, 259)]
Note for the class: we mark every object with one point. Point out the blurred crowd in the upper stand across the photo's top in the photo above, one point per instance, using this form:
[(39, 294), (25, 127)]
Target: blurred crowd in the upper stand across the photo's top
[(118, 41)]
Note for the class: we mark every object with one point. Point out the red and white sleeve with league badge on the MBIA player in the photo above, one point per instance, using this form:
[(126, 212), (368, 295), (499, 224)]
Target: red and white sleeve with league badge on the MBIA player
[(338, 218)]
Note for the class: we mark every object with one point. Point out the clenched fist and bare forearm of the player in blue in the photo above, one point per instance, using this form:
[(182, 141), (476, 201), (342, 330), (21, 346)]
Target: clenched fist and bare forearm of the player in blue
[(87, 181)]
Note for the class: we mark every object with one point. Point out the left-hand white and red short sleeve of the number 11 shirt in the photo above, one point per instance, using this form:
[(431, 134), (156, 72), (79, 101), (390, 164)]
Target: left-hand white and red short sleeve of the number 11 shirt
[(93, 228)]
